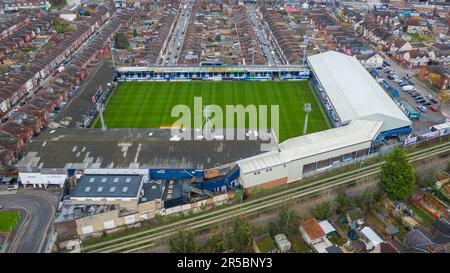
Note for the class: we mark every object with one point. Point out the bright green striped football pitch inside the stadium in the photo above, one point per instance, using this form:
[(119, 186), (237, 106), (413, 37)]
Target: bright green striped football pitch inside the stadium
[(149, 104)]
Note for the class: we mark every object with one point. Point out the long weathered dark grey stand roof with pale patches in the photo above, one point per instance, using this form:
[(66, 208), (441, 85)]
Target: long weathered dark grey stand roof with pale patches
[(55, 151)]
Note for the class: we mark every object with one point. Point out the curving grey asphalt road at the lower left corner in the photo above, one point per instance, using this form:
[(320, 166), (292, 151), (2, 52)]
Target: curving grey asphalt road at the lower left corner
[(40, 205)]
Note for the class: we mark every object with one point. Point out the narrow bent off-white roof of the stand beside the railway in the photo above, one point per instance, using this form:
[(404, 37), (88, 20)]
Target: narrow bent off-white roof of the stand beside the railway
[(357, 131)]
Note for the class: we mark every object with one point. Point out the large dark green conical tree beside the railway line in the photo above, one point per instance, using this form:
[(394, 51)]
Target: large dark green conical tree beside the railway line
[(397, 175)]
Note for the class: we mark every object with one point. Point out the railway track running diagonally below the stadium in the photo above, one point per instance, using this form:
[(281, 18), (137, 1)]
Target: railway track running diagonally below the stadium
[(147, 238)]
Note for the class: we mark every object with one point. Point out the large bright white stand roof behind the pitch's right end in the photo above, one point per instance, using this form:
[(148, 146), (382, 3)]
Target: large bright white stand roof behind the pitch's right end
[(353, 92)]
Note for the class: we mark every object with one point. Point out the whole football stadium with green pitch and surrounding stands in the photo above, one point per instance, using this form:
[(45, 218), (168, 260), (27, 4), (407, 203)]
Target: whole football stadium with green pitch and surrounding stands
[(352, 119)]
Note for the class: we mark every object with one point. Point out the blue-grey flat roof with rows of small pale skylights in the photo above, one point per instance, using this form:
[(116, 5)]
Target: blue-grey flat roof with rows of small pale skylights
[(98, 186)]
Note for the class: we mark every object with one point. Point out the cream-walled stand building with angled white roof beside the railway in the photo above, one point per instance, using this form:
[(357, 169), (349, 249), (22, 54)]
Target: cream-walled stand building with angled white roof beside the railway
[(298, 157)]
